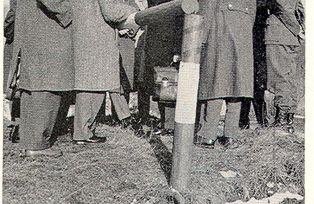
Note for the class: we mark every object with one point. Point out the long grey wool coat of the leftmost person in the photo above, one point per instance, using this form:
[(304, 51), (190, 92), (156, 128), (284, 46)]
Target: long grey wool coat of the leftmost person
[(45, 48)]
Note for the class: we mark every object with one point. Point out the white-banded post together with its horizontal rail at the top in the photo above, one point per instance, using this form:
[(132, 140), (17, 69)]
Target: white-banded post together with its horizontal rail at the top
[(187, 85)]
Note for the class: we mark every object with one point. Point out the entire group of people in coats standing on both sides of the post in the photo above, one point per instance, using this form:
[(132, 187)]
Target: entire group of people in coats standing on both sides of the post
[(62, 48)]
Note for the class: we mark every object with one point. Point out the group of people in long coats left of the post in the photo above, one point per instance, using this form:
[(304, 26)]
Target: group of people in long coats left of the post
[(61, 48)]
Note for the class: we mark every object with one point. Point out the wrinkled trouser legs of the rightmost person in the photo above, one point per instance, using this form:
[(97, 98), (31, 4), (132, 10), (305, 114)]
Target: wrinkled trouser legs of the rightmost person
[(282, 81)]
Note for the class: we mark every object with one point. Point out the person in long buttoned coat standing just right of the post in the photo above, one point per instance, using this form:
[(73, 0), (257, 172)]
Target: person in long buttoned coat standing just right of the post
[(226, 65)]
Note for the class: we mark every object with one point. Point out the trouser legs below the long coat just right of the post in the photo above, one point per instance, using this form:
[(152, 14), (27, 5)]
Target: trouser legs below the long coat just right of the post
[(209, 116)]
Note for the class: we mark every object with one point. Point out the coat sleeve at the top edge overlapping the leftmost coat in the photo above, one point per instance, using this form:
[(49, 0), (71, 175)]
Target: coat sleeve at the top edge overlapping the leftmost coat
[(60, 8)]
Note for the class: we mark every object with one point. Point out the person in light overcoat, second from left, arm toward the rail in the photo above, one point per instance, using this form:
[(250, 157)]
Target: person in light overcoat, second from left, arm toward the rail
[(95, 56)]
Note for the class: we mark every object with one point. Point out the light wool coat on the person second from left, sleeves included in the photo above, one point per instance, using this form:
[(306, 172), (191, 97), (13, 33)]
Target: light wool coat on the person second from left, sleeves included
[(93, 39)]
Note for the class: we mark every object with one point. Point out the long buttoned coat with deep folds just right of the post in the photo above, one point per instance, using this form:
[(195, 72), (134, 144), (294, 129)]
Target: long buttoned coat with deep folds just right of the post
[(227, 49)]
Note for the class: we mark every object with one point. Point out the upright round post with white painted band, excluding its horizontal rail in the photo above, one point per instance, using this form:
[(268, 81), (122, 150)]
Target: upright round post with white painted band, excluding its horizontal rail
[(186, 103)]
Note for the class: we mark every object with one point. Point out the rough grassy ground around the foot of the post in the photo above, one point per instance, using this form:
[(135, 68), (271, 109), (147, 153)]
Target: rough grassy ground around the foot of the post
[(128, 169)]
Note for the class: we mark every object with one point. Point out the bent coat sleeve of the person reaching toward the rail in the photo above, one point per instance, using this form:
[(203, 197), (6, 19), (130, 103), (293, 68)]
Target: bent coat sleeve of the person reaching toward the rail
[(115, 11)]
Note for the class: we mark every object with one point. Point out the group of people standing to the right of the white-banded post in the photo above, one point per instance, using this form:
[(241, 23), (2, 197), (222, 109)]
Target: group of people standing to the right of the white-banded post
[(252, 51)]
